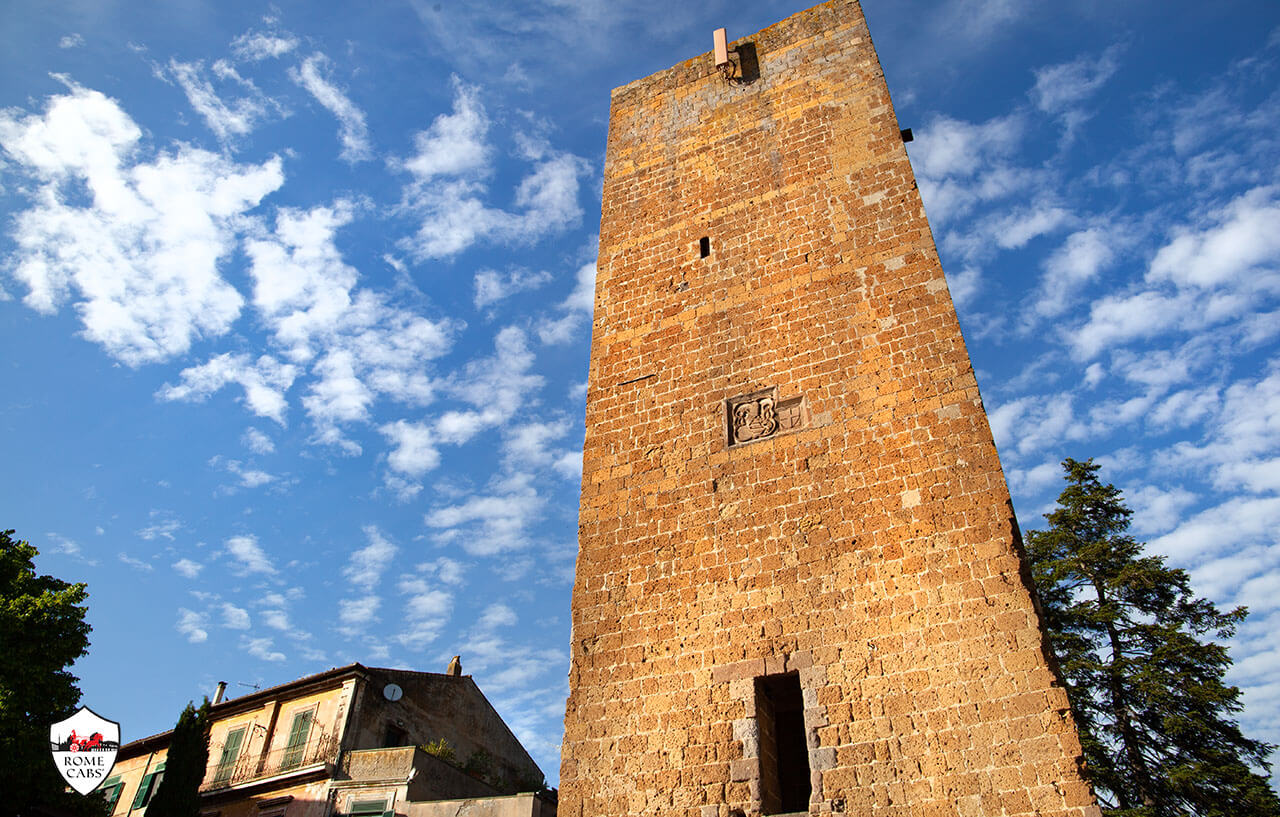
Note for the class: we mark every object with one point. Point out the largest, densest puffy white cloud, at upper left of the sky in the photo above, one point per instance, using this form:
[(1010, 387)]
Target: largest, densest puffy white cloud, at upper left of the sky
[(143, 254)]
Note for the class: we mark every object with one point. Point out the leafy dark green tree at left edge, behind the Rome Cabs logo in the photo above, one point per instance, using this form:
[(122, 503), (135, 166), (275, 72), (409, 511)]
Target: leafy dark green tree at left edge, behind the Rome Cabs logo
[(43, 632)]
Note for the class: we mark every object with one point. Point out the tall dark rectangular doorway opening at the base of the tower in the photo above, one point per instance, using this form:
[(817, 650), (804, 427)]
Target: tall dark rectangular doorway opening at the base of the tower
[(785, 787)]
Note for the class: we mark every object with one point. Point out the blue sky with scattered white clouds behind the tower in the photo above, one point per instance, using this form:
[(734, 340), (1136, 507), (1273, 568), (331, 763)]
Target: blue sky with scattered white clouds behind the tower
[(295, 308)]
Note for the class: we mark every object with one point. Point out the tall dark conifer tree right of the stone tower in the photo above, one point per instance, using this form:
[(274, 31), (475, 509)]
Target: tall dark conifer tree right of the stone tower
[(1142, 668)]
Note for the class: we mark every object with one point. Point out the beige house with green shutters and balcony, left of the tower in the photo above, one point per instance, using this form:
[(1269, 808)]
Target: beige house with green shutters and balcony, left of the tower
[(351, 741)]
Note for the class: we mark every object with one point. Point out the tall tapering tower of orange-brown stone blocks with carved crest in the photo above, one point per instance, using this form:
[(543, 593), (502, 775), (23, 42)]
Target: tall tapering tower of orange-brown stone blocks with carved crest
[(799, 582)]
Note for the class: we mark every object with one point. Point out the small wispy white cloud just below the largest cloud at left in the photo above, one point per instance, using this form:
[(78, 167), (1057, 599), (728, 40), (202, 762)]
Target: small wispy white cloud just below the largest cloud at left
[(264, 381)]
